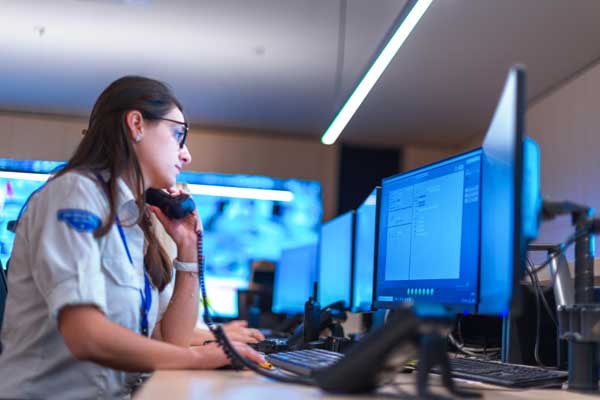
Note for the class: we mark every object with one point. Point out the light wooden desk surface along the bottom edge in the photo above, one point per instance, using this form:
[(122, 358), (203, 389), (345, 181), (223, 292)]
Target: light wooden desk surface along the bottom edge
[(232, 385)]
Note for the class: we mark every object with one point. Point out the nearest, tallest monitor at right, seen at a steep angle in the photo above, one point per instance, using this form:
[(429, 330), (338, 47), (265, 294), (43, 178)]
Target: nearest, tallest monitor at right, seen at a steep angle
[(503, 245)]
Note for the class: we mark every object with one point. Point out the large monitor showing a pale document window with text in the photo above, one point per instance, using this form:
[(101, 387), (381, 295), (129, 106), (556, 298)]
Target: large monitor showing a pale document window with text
[(428, 240)]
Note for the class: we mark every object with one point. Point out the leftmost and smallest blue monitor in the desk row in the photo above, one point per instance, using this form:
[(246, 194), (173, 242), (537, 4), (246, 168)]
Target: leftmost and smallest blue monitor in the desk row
[(294, 279)]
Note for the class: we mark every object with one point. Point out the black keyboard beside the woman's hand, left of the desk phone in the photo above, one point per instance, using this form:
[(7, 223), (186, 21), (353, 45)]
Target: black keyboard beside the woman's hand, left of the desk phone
[(304, 362)]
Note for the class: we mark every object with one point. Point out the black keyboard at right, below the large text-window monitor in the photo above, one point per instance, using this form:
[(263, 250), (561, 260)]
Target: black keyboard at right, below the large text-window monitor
[(502, 374)]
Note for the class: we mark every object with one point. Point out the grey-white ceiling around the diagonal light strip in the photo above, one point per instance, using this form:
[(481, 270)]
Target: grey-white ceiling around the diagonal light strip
[(285, 66)]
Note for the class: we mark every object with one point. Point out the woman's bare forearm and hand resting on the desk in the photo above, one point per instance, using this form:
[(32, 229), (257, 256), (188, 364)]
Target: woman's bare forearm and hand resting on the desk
[(90, 336)]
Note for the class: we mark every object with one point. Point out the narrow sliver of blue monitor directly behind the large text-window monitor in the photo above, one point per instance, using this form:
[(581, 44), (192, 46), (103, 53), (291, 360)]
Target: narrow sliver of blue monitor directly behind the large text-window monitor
[(364, 253)]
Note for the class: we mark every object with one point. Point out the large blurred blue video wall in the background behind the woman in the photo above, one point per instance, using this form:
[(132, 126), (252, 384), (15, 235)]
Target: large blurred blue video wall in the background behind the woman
[(237, 230)]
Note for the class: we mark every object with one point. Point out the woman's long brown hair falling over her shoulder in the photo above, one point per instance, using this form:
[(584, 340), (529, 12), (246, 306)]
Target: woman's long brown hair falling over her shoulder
[(107, 146)]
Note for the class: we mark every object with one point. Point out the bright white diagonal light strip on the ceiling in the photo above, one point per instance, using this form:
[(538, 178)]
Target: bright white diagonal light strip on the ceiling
[(375, 71)]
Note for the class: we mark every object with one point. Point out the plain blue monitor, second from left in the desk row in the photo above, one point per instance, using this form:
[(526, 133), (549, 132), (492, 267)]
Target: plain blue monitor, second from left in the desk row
[(336, 252)]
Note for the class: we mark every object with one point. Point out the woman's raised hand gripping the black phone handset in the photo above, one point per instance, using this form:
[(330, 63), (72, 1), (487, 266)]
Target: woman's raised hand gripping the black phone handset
[(184, 232)]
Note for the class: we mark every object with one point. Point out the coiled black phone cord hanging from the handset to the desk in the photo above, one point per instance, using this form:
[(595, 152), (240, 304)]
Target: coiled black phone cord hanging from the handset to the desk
[(237, 360)]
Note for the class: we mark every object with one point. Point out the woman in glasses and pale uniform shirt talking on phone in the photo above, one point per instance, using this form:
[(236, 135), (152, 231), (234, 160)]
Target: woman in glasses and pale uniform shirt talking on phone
[(87, 274)]
